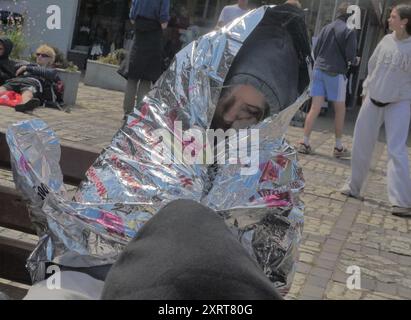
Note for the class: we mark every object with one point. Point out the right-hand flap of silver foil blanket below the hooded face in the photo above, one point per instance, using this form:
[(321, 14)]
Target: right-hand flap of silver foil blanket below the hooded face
[(264, 210)]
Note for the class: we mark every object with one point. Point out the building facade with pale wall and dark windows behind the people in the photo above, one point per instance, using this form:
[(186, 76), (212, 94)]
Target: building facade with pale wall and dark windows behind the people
[(100, 26)]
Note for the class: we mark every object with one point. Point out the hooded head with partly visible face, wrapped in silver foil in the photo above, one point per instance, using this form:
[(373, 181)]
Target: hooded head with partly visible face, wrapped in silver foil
[(268, 73)]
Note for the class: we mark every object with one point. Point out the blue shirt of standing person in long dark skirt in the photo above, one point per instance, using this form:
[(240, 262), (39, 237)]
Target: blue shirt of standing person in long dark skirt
[(151, 9)]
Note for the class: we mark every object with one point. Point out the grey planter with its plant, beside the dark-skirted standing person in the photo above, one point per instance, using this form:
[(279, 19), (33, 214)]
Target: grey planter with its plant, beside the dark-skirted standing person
[(103, 72)]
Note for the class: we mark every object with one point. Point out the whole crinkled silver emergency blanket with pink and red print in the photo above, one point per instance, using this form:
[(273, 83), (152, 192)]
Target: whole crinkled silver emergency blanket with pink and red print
[(130, 181)]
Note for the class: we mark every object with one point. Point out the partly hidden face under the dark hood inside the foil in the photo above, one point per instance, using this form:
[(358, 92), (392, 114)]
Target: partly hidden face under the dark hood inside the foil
[(241, 108)]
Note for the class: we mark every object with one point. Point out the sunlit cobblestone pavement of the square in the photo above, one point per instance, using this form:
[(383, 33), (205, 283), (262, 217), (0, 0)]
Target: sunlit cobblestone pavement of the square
[(338, 233)]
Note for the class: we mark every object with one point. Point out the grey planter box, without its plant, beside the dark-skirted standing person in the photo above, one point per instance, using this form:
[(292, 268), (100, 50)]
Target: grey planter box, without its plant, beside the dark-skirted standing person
[(104, 76)]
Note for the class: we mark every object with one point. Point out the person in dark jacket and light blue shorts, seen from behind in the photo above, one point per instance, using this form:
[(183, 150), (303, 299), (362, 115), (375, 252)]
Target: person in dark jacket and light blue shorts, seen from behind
[(334, 52)]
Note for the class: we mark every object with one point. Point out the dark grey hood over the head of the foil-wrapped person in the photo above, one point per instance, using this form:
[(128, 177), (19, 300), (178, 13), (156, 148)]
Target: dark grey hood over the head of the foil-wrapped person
[(280, 38)]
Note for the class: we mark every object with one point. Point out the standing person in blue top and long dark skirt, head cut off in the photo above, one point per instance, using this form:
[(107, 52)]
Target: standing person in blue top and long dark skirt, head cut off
[(150, 18)]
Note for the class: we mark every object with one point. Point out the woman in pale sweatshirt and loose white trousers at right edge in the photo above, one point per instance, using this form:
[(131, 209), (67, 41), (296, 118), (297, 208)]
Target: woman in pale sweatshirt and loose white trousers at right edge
[(387, 99)]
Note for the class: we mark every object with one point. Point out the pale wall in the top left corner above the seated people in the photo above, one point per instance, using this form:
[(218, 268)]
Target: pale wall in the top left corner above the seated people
[(35, 28)]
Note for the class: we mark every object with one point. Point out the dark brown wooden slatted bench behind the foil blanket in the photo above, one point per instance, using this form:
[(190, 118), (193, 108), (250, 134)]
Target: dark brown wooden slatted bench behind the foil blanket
[(75, 160)]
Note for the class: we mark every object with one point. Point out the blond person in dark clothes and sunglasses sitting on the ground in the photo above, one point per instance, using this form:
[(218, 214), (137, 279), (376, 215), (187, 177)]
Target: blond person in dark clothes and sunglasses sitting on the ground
[(35, 82)]
